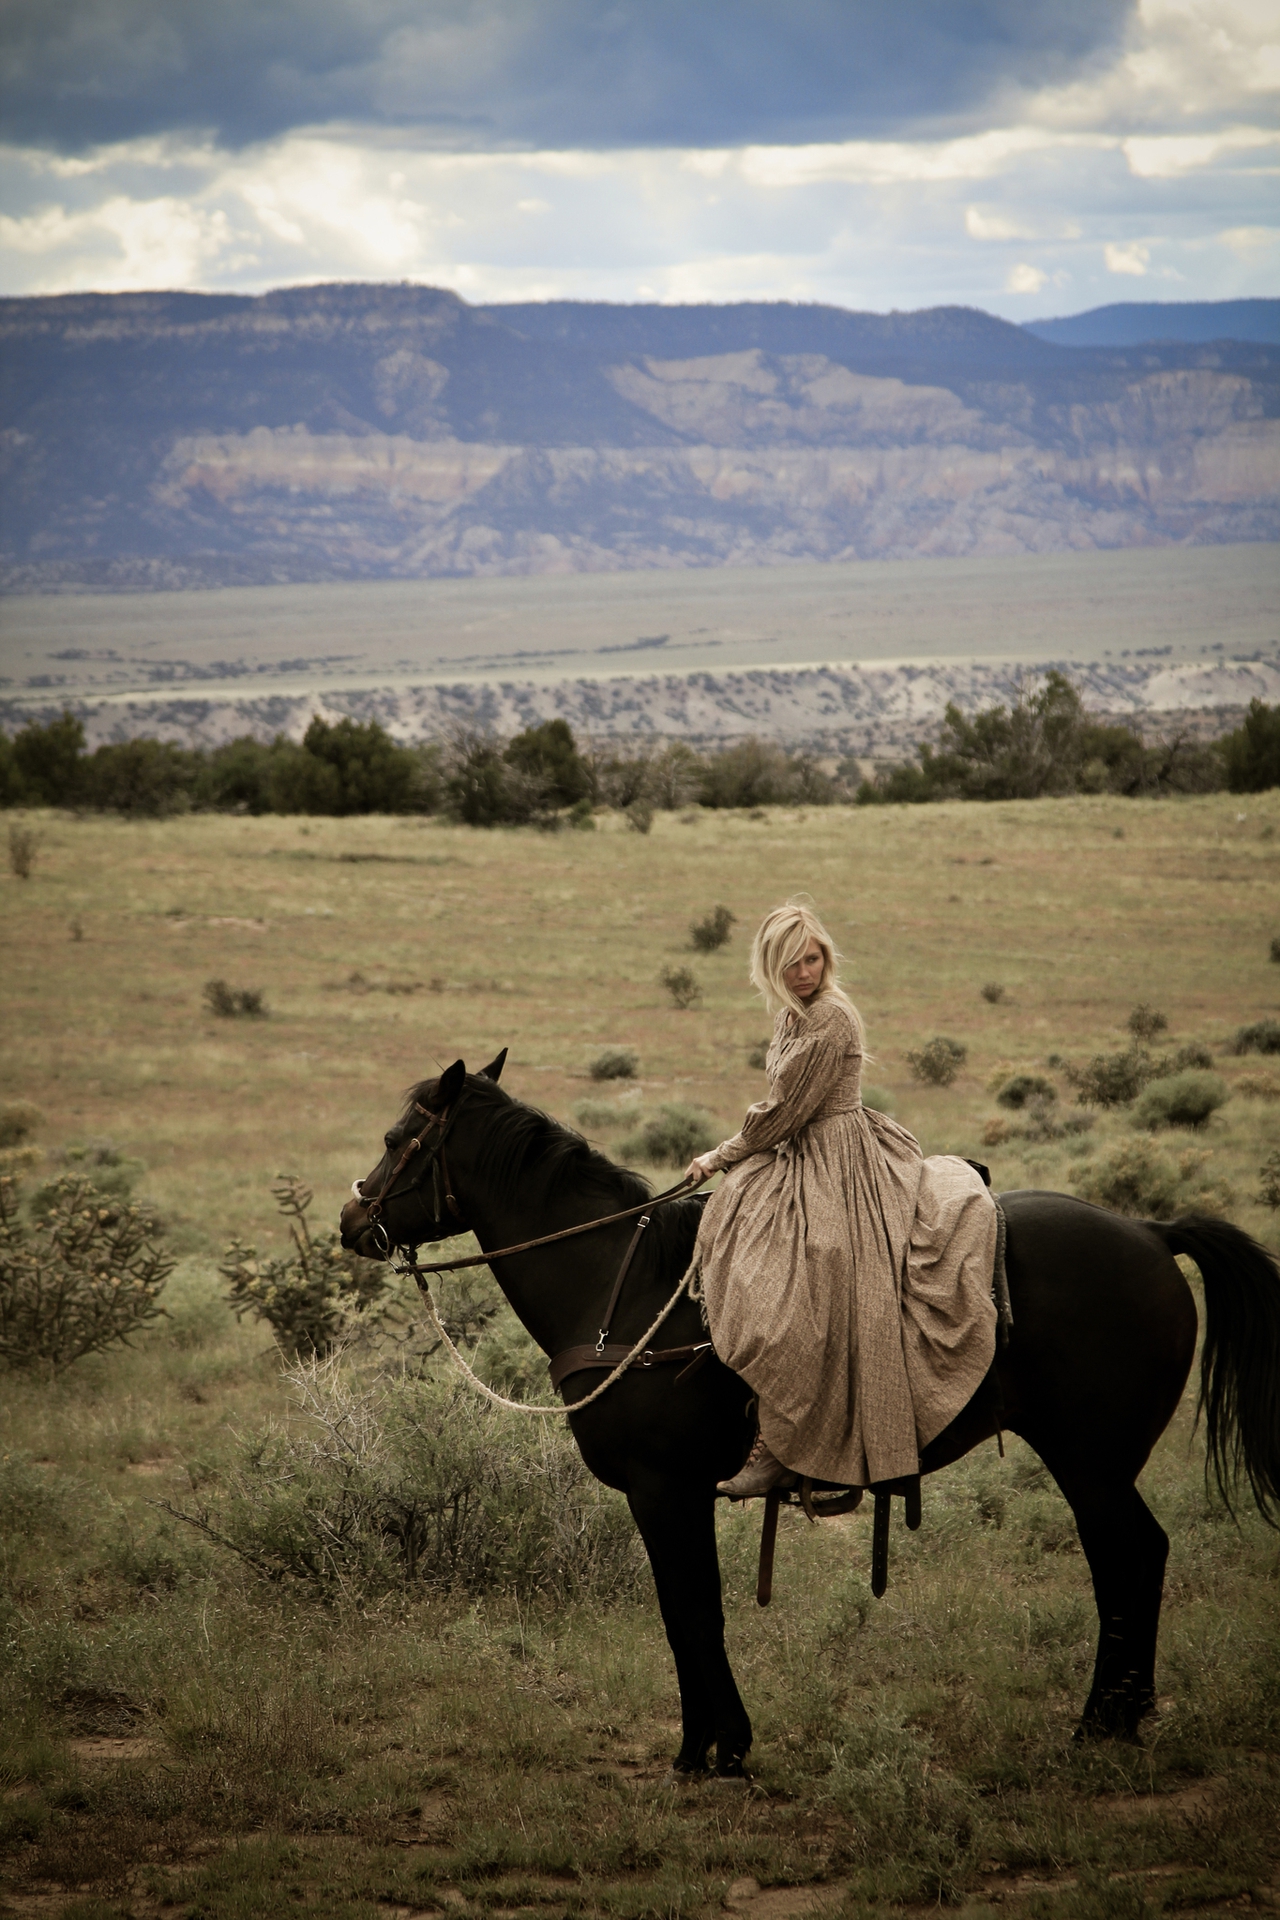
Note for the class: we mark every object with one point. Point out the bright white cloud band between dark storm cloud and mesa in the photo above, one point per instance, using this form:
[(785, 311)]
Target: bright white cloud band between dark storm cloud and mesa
[(1172, 139)]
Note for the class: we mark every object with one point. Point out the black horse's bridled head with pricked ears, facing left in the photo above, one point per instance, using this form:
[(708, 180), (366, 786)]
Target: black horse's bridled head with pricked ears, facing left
[(406, 1199)]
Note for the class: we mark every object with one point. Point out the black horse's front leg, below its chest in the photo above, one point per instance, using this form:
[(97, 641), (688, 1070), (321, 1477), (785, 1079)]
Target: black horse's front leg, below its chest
[(678, 1527)]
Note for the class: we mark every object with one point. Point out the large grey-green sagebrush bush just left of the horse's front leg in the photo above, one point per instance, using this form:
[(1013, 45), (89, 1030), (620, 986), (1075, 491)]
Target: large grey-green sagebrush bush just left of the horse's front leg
[(414, 1483)]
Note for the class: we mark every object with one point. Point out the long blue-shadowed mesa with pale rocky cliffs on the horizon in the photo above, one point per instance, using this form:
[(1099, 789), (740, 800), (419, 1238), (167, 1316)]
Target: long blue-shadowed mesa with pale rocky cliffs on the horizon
[(352, 433)]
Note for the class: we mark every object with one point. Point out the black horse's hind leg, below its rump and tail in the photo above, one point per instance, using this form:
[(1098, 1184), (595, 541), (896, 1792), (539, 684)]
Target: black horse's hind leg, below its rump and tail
[(1127, 1550)]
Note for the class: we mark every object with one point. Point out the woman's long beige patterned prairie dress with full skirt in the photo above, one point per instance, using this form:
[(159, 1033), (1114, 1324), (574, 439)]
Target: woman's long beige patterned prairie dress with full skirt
[(845, 1276)]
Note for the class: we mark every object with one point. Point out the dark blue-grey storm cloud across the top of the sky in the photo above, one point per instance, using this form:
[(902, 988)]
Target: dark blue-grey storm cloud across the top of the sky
[(492, 76)]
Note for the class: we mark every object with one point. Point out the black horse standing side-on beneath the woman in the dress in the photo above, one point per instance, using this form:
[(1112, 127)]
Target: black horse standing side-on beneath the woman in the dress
[(1104, 1333)]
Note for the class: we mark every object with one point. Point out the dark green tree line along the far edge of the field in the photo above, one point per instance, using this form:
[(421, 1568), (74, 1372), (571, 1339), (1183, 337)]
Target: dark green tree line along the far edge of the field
[(1043, 744)]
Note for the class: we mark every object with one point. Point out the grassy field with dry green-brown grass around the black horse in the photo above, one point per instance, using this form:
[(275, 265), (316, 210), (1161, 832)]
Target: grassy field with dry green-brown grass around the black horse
[(185, 1739)]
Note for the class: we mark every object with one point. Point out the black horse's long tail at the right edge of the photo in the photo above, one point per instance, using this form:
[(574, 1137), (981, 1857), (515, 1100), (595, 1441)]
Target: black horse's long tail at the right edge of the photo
[(1241, 1356)]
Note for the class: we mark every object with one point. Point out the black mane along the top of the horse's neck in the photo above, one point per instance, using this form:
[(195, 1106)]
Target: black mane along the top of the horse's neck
[(548, 1159)]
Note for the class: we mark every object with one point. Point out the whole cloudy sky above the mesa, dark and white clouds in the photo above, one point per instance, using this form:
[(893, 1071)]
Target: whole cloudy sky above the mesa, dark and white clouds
[(1026, 156)]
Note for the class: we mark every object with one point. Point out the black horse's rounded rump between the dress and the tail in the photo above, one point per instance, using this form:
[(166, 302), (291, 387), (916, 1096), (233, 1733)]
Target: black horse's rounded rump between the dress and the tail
[(1104, 1330)]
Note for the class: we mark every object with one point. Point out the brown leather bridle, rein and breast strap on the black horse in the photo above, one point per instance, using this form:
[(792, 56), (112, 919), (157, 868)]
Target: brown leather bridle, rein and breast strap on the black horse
[(571, 1360)]
